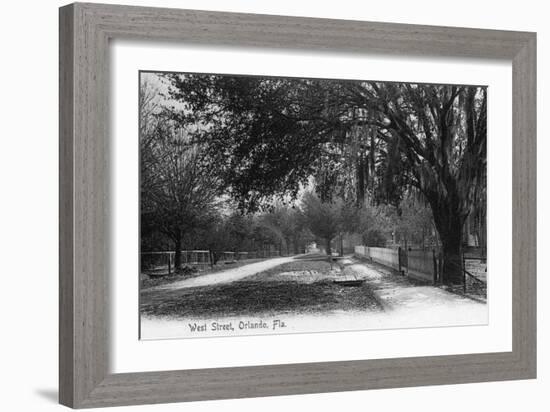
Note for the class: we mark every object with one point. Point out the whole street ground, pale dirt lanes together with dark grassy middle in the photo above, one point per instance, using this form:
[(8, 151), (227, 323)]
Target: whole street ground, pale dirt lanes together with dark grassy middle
[(405, 303)]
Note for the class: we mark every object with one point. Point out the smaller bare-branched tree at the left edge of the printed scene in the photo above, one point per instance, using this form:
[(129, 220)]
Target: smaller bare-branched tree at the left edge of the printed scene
[(179, 195)]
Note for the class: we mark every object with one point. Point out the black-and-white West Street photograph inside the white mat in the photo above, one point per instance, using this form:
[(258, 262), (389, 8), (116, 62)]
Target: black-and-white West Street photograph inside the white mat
[(272, 205)]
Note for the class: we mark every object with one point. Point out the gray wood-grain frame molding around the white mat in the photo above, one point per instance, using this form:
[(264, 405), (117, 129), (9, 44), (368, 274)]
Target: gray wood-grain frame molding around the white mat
[(85, 30)]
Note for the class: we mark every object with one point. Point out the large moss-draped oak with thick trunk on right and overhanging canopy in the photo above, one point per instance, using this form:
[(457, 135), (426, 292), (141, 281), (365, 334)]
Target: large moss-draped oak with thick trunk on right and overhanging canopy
[(368, 141)]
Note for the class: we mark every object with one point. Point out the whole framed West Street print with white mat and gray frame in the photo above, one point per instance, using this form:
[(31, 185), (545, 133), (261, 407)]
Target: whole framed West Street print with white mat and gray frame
[(338, 205)]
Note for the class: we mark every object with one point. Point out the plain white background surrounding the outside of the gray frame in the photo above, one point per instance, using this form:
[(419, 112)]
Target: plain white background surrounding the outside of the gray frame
[(28, 206)]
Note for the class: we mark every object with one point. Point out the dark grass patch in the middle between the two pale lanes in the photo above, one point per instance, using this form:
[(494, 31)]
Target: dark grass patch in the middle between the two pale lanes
[(264, 294)]
